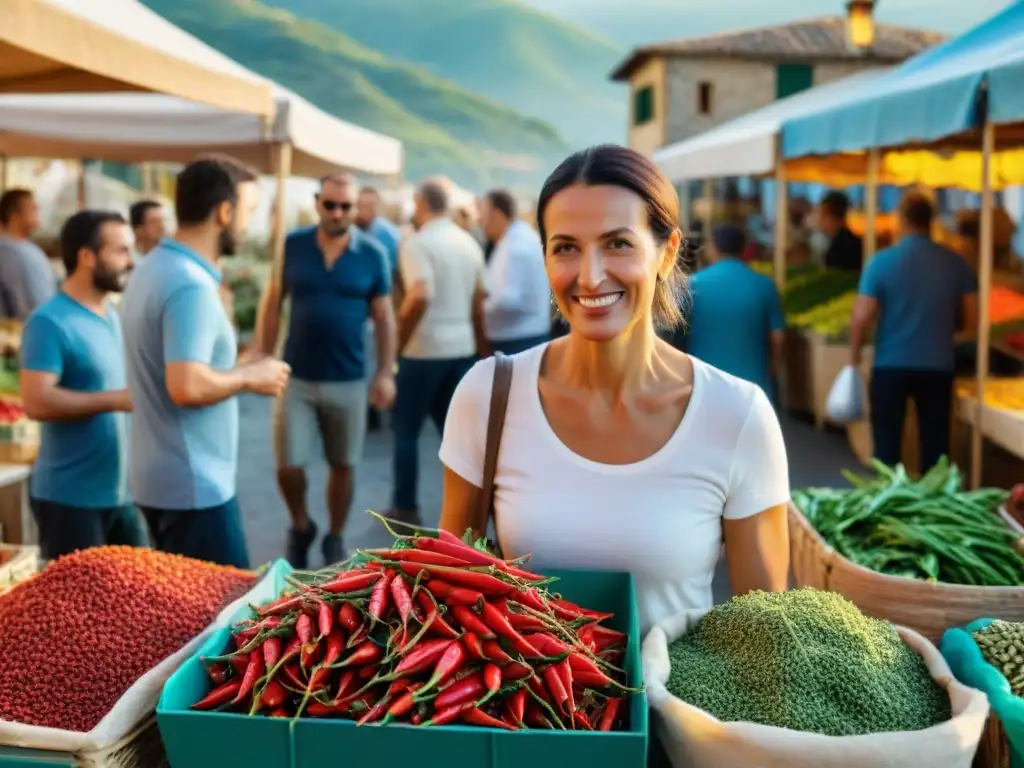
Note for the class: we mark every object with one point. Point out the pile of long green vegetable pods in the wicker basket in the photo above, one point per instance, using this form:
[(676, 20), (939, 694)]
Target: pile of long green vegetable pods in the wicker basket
[(929, 529)]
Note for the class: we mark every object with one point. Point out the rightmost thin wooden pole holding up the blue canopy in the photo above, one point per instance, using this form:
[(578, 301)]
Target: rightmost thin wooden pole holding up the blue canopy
[(985, 291)]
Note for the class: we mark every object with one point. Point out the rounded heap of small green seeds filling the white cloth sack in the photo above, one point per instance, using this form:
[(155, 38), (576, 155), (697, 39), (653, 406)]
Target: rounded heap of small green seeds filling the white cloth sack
[(806, 661)]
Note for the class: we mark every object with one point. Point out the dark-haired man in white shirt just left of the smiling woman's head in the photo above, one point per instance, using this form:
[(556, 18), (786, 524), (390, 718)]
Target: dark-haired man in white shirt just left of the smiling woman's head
[(518, 311)]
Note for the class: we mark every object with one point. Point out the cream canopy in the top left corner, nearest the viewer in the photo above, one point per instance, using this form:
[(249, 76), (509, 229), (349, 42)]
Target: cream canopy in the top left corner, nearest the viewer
[(50, 47)]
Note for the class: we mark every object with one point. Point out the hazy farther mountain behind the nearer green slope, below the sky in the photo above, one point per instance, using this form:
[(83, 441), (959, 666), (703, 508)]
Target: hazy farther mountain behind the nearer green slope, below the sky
[(533, 62)]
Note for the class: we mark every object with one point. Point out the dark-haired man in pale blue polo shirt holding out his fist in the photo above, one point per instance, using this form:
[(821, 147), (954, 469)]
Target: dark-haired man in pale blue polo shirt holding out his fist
[(182, 353)]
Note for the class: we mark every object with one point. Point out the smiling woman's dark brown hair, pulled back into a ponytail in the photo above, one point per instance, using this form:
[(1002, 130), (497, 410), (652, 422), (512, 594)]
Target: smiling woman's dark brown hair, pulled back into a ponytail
[(612, 165)]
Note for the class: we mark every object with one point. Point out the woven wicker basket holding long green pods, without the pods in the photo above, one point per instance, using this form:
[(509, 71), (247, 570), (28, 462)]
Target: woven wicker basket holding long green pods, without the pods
[(927, 608)]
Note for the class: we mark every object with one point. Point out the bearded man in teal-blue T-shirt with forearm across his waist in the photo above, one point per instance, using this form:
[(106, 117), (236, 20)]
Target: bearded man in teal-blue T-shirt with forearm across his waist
[(73, 381)]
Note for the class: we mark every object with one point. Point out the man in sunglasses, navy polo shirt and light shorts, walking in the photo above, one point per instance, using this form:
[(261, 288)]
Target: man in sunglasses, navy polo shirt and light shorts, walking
[(336, 276)]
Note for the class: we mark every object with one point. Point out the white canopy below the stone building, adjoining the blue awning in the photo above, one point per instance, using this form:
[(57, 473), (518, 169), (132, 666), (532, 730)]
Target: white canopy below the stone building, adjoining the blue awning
[(748, 146)]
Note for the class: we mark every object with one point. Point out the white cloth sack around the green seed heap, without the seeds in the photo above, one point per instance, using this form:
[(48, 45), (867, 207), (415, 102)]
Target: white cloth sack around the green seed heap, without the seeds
[(693, 739)]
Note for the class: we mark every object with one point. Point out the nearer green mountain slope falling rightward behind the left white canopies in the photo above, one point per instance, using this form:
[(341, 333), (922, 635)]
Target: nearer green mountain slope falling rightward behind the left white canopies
[(445, 127)]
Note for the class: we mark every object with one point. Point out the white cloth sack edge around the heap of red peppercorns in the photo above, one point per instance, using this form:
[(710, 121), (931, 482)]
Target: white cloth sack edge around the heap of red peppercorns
[(141, 700)]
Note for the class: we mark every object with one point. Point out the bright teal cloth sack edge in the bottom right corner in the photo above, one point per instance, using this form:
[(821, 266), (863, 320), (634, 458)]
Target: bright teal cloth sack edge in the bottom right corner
[(969, 665)]
